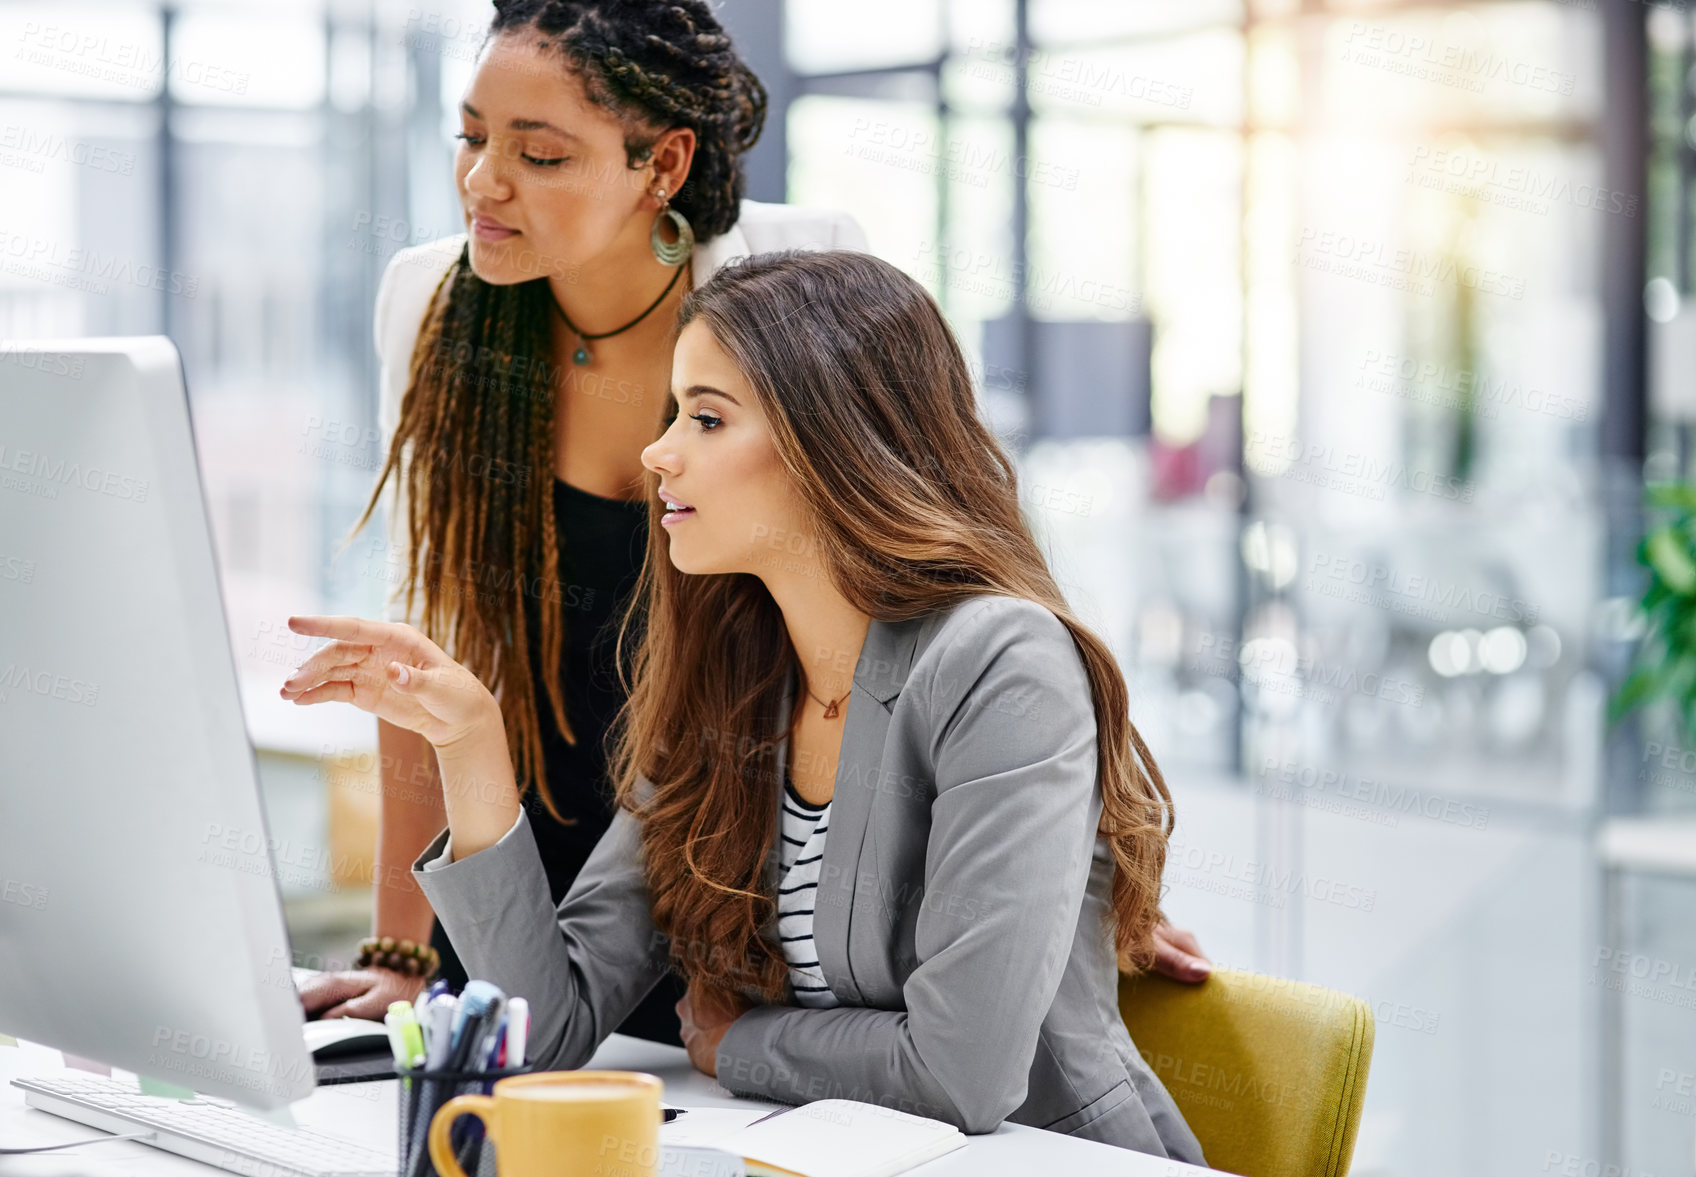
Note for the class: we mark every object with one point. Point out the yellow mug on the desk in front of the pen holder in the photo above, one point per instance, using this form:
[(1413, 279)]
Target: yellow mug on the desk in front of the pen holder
[(562, 1124)]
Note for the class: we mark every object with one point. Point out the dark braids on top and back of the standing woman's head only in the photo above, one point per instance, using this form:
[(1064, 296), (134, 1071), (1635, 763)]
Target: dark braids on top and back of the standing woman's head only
[(666, 64)]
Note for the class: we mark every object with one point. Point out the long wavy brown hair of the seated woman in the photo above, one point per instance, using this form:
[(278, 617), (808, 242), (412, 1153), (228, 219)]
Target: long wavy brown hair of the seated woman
[(915, 508)]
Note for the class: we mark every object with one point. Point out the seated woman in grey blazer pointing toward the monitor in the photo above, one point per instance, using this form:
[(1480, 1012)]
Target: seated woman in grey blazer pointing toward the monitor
[(879, 795)]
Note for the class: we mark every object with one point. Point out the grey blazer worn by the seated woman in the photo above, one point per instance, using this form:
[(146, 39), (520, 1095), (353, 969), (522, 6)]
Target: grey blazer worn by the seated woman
[(961, 917)]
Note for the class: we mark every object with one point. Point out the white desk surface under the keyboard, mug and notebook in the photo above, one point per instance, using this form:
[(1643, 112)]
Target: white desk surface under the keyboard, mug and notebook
[(367, 1115)]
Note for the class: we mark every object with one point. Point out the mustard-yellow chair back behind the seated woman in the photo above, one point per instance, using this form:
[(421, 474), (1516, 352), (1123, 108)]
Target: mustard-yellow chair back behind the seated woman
[(1269, 1073)]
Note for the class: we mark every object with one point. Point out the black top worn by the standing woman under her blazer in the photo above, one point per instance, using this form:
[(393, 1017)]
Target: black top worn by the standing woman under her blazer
[(601, 554)]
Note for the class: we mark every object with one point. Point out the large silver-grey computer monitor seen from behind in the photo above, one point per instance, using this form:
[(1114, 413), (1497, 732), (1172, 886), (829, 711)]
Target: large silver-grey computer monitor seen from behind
[(140, 917)]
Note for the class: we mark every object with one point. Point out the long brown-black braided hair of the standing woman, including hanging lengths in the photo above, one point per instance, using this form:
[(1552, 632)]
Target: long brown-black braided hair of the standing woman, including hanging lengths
[(476, 438)]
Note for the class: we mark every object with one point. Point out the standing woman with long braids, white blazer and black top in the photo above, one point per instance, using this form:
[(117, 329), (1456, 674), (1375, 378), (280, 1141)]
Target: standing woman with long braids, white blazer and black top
[(525, 367)]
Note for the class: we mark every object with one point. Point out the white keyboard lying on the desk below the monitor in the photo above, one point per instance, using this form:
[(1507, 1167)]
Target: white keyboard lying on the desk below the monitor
[(211, 1132)]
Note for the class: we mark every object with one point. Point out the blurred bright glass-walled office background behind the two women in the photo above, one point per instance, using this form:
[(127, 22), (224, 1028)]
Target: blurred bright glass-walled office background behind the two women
[(1337, 342)]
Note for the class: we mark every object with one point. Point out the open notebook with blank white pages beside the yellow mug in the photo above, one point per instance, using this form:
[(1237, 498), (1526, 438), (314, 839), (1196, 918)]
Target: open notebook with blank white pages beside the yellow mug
[(825, 1139)]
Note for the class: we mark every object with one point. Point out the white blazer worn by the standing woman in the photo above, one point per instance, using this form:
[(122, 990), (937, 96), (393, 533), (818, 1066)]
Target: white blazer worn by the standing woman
[(411, 277)]
